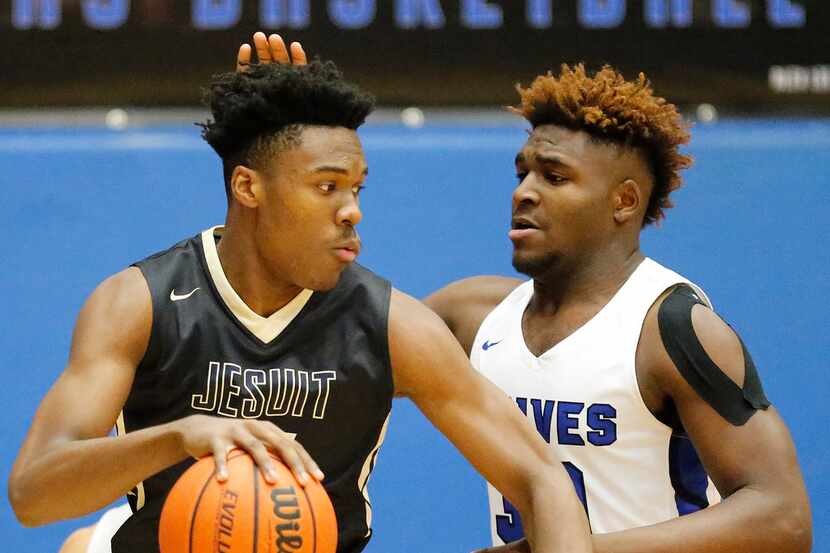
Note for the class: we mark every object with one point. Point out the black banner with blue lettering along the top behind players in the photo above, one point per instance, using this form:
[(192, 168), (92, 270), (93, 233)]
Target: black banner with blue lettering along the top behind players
[(743, 54)]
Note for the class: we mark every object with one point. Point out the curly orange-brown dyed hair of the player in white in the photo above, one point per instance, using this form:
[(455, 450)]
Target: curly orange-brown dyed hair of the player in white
[(610, 108)]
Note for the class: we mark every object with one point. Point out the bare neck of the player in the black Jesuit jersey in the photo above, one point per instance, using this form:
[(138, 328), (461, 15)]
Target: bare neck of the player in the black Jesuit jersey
[(249, 276)]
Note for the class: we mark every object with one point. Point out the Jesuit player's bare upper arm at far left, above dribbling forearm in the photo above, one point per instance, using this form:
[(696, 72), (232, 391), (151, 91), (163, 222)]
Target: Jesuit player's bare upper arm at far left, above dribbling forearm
[(108, 343)]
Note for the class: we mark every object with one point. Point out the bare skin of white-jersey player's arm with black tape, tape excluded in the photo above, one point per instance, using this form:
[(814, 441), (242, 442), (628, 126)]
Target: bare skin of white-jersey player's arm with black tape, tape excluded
[(754, 466)]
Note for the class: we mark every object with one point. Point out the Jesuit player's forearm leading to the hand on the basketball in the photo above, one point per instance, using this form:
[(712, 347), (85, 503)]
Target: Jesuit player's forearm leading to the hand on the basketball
[(78, 477)]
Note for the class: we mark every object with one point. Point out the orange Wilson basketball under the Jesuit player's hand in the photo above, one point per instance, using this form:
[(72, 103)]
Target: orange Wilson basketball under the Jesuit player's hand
[(245, 514)]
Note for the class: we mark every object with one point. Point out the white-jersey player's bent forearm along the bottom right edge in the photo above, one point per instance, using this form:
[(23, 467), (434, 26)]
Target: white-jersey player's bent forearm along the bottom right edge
[(754, 521)]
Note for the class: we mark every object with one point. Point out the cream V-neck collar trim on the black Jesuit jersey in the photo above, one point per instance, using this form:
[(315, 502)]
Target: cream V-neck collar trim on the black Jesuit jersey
[(264, 328)]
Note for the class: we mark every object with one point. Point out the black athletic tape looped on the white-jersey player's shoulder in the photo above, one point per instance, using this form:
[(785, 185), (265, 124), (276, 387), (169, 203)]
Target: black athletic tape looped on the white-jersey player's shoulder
[(734, 403)]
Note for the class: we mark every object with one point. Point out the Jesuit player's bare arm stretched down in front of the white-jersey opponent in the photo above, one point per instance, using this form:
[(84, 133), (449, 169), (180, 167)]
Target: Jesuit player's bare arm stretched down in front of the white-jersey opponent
[(485, 425)]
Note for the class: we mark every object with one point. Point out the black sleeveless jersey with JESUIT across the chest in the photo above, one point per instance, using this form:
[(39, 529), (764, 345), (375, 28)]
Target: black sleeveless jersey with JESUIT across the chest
[(325, 377)]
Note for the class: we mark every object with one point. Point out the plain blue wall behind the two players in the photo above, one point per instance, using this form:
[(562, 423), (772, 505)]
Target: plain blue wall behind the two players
[(751, 226)]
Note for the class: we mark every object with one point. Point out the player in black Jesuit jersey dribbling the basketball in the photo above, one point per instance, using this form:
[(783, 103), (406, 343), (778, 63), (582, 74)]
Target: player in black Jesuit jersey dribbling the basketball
[(263, 334)]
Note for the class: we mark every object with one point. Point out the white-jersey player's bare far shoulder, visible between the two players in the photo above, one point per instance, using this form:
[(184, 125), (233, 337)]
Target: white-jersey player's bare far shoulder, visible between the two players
[(465, 303)]
